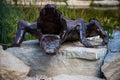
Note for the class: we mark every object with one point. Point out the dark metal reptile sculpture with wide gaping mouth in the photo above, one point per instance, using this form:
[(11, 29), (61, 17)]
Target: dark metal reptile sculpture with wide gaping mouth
[(52, 29)]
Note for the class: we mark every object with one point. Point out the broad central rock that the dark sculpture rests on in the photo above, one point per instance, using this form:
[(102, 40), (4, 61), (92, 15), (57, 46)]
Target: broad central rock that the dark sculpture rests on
[(72, 58)]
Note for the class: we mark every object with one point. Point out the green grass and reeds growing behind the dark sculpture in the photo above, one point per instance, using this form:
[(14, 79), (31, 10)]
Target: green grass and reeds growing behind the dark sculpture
[(10, 15)]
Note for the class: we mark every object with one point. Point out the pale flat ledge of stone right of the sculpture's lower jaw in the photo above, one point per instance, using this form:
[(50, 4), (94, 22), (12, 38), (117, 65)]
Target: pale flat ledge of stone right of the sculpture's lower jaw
[(77, 50)]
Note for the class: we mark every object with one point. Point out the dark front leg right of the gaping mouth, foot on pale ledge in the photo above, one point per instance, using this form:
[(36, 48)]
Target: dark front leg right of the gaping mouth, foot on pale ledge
[(81, 28)]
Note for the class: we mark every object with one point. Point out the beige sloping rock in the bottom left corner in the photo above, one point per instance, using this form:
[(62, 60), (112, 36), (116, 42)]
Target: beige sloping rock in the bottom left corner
[(11, 68)]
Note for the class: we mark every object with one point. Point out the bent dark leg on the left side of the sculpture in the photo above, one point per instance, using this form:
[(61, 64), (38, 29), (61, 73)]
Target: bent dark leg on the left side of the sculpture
[(22, 28)]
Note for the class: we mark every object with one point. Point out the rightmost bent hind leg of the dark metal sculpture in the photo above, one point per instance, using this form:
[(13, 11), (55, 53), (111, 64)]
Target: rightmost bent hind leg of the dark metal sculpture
[(94, 25)]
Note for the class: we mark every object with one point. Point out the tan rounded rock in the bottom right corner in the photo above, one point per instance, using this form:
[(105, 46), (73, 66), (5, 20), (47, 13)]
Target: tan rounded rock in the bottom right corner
[(111, 67)]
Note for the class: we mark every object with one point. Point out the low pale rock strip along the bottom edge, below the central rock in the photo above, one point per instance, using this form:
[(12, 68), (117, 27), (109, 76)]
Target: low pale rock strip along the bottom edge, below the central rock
[(63, 77)]
